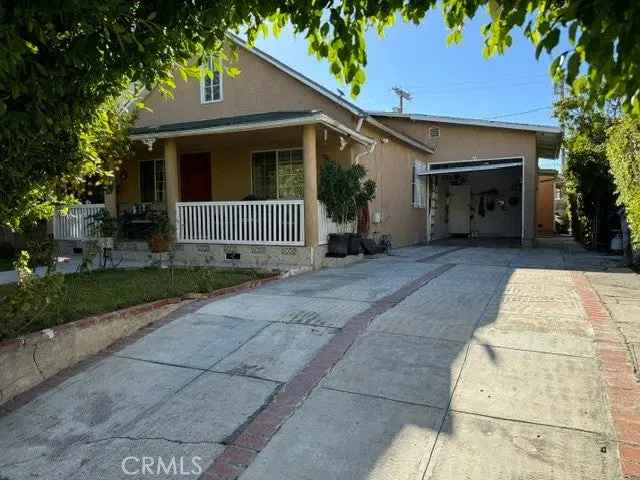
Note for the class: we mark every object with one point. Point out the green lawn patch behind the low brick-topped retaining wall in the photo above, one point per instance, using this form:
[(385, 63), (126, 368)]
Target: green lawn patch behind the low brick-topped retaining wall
[(85, 294)]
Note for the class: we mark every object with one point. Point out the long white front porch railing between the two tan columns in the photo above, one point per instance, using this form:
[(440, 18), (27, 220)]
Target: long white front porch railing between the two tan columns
[(270, 222)]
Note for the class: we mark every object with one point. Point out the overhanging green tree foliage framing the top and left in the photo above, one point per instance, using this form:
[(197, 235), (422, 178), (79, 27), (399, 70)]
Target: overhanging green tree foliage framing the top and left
[(62, 62)]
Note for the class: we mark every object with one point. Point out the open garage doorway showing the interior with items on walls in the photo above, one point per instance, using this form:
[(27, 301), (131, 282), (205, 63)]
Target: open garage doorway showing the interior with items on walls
[(479, 199)]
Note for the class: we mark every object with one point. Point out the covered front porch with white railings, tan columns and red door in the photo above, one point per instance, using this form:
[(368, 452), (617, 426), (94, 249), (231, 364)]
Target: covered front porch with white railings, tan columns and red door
[(244, 197)]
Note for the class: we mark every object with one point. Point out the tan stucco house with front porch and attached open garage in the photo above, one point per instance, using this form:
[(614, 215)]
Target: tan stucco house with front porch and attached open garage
[(235, 163)]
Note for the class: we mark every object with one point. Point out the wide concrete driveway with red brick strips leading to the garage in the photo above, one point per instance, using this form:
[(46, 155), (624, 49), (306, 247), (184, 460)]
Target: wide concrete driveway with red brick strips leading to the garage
[(434, 363)]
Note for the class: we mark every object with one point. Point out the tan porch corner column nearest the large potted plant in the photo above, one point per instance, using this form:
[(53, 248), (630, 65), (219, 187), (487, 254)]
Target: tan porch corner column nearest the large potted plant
[(310, 186)]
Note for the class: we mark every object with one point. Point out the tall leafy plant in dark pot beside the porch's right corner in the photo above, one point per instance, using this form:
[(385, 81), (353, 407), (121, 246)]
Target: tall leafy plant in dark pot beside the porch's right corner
[(344, 192)]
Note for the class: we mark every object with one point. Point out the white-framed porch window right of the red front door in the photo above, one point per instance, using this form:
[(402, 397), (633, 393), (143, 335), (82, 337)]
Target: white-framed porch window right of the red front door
[(278, 174)]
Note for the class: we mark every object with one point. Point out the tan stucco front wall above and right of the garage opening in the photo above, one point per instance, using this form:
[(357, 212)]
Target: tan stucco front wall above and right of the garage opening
[(464, 142)]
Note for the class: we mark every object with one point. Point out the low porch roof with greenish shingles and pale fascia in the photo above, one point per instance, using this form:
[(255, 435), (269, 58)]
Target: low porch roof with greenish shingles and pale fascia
[(243, 123)]
